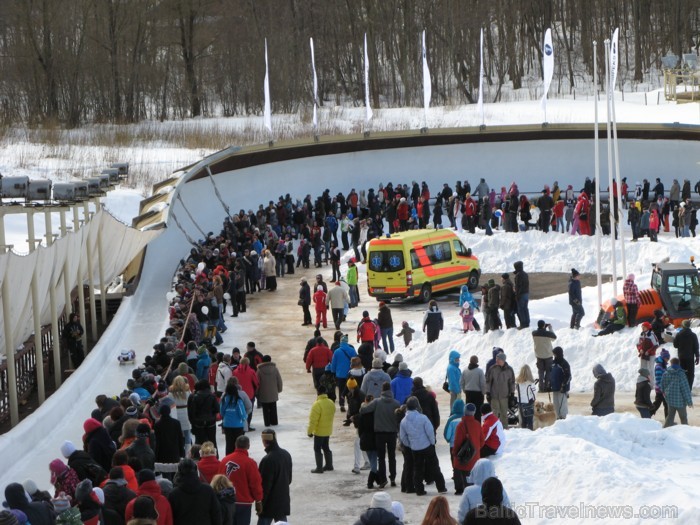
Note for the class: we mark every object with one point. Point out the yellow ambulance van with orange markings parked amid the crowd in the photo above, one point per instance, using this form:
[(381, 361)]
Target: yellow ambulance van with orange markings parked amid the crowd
[(418, 263)]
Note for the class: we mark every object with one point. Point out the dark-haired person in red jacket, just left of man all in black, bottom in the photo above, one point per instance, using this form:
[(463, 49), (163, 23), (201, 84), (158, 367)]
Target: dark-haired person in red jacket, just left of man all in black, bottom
[(242, 471)]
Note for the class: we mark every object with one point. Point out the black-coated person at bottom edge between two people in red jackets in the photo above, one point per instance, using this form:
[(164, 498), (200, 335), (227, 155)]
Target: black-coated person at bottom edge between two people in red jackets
[(193, 502)]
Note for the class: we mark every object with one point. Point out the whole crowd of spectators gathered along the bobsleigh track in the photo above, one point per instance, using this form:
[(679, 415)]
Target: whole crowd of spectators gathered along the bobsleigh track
[(149, 454)]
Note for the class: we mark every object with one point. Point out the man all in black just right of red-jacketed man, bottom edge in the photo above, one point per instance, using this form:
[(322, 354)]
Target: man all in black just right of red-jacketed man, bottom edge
[(276, 473)]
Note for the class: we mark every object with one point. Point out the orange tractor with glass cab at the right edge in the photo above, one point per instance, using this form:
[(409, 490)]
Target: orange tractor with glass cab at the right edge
[(675, 289)]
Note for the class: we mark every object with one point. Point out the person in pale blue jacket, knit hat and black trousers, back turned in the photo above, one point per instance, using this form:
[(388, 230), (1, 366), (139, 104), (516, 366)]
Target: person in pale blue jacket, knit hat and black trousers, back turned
[(417, 433)]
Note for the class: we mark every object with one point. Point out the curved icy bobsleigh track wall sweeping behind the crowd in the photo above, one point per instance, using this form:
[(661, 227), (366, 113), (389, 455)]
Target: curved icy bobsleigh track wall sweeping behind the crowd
[(263, 174)]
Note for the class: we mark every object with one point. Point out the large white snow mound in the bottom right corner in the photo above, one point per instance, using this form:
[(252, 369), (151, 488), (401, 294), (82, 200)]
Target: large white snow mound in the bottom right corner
[(644, 467)]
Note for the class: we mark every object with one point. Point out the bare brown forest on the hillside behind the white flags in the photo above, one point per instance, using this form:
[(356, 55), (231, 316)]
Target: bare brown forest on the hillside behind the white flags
[(71, 62)]
